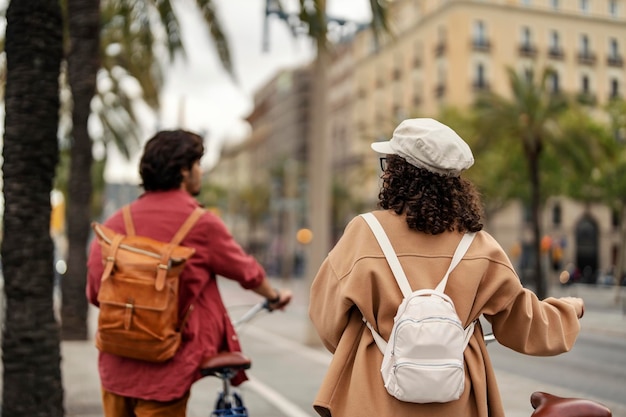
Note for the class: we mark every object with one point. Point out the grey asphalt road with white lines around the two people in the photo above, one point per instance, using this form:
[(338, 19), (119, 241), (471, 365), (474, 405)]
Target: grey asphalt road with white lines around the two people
[(286, 373)]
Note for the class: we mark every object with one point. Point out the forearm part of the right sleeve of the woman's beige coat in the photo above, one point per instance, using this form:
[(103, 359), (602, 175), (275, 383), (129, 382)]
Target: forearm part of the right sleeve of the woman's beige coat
[(534, 327)]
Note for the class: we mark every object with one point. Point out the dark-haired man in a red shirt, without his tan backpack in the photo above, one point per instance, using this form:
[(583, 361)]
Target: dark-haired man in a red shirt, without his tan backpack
[(171, 175)]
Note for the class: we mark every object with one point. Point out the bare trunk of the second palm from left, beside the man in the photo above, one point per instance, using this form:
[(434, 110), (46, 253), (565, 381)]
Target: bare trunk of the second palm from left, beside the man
[(83, 64)]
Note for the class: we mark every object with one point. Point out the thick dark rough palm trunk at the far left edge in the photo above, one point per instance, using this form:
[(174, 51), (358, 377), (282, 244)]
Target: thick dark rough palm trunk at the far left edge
[(32, 384)]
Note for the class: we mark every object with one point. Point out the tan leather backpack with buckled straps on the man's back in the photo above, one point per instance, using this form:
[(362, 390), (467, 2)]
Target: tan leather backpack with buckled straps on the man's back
[(138, 294)]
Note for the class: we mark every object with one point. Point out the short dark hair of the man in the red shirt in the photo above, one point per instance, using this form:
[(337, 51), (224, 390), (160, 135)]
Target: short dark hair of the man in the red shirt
[(165, 155)]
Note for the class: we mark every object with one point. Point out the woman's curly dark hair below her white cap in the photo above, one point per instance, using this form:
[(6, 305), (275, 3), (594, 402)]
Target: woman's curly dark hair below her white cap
[(433, 203)]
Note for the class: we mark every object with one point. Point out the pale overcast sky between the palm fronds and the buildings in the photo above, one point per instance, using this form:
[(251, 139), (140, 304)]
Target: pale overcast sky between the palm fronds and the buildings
[(200, 96)]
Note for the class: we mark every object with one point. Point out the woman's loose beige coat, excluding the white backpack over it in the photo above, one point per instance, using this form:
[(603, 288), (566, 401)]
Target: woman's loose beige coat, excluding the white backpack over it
[(356, 280)]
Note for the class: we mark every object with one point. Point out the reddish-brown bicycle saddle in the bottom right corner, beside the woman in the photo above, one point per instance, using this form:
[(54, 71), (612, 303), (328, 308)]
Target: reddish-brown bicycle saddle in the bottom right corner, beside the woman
[(548, 405)]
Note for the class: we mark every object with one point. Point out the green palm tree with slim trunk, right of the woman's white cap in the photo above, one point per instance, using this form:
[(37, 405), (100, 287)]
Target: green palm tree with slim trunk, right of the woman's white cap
[(534, 118)]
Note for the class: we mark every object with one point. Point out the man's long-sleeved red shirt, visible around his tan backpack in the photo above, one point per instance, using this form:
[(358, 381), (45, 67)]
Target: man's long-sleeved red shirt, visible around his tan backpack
[(158, 215)]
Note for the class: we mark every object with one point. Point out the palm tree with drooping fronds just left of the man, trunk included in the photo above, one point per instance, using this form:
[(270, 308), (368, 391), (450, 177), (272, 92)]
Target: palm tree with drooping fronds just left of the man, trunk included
[(122, 49)]
